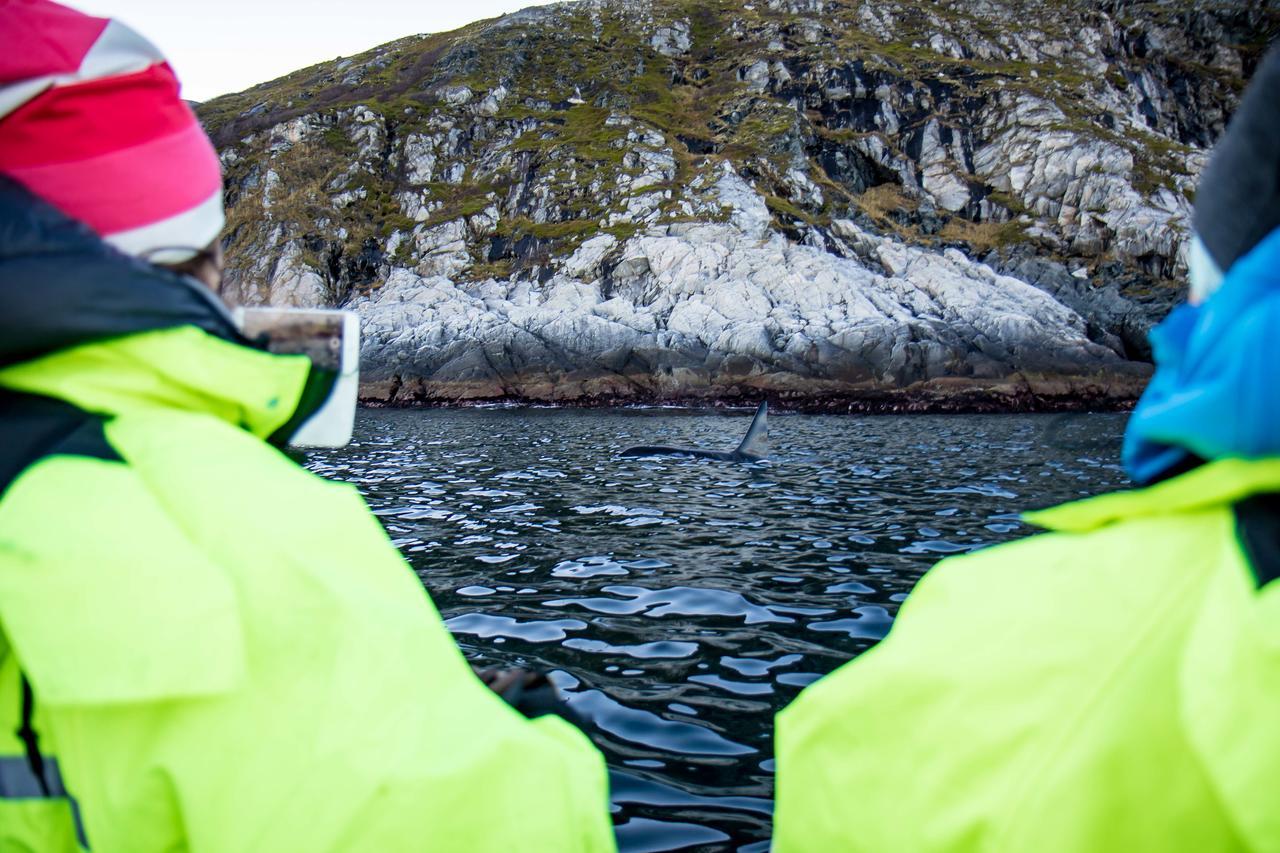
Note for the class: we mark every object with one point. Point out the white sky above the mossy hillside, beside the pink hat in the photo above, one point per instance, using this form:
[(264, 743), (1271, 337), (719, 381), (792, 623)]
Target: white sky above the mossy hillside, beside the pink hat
[(230, 45)]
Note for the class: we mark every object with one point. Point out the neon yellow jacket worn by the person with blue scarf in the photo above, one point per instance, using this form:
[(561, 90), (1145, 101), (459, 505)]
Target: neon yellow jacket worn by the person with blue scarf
[(1113, 686)]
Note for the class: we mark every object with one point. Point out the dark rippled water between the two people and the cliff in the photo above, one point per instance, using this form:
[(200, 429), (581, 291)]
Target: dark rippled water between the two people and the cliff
[(683, 603)]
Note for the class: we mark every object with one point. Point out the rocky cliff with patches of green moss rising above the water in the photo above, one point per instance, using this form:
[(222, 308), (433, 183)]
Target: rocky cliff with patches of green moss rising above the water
[(839, 204)]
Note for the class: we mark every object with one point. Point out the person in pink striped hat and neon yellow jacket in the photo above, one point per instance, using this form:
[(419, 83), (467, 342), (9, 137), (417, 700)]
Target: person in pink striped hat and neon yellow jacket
[(203, 646)]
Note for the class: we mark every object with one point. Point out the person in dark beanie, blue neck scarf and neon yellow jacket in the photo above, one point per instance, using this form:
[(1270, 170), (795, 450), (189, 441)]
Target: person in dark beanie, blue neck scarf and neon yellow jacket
[(1113, 685)]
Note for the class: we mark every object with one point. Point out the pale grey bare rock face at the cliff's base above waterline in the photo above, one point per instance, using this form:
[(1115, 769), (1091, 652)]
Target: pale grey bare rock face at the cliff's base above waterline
[(702, 311)]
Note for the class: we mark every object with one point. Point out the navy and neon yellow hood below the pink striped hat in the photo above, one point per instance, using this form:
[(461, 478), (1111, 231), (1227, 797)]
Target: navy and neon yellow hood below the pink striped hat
[(108, 334)]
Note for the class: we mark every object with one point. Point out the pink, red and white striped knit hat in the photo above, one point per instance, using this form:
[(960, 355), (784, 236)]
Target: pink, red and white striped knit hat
[(92, 121)]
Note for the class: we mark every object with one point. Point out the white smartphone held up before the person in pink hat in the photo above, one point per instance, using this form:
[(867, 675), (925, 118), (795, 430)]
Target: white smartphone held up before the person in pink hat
[(332, 341)]
